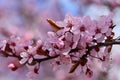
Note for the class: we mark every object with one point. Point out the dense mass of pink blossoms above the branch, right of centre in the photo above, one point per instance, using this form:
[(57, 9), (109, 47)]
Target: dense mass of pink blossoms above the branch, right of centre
[(78, 33)]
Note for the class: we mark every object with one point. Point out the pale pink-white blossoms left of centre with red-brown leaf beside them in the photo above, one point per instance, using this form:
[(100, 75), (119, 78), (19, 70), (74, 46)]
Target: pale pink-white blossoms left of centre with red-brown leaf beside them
[(32, 53)]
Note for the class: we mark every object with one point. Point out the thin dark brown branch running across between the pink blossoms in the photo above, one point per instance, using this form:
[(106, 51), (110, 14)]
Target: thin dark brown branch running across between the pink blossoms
[(81, 61)]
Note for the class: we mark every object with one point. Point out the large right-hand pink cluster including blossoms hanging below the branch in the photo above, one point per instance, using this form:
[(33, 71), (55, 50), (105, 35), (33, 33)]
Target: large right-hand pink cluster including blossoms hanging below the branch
[(77, 36)]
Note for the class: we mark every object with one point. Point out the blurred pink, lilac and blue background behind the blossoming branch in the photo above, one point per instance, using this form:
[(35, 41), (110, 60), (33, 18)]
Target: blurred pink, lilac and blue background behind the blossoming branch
[(27, 18)]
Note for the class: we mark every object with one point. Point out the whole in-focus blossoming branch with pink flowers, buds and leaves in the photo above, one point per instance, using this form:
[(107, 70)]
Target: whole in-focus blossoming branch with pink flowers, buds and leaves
[(77, 41)]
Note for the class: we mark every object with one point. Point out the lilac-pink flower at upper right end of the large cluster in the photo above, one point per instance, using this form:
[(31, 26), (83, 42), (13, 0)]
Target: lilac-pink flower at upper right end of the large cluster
[(103, 27)]
